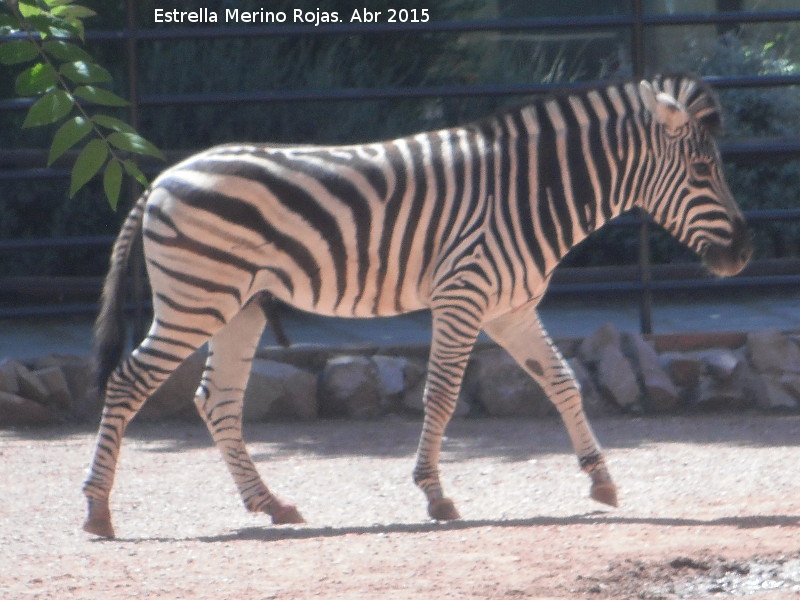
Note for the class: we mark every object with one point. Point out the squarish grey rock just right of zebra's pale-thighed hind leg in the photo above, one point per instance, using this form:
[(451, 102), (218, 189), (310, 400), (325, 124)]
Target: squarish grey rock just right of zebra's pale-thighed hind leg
[(279, 391)]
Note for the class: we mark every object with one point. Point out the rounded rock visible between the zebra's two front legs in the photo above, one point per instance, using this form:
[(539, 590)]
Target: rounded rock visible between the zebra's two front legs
[(503, 388)]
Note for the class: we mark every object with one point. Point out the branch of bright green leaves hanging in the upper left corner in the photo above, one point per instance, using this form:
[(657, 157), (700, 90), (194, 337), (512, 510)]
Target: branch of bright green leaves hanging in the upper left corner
[(63, 80)]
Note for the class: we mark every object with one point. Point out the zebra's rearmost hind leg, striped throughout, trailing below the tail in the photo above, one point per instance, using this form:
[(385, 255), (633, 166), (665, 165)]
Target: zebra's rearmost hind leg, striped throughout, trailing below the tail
[(128, 387)]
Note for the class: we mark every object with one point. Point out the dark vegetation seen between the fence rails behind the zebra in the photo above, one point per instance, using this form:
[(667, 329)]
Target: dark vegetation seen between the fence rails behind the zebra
[(41, 208)]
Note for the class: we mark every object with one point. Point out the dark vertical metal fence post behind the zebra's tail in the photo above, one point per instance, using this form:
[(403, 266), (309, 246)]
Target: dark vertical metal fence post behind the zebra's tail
[(137, 258)]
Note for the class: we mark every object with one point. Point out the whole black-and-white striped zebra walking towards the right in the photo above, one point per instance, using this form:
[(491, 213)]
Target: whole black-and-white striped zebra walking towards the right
[(468, 222)]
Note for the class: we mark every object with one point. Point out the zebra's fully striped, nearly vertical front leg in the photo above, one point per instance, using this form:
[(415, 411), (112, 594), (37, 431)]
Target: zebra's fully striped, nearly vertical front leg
[(454, 334)]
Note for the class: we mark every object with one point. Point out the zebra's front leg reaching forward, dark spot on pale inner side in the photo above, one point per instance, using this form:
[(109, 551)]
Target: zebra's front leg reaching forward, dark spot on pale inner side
[(521, 333)]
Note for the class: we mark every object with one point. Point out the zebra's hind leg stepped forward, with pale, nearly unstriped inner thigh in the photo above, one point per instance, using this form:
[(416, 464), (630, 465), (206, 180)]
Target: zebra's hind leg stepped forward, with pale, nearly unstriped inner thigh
[(219, 400)]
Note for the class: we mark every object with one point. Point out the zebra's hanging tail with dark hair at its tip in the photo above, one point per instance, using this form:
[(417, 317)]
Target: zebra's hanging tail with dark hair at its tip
[(109, 328)]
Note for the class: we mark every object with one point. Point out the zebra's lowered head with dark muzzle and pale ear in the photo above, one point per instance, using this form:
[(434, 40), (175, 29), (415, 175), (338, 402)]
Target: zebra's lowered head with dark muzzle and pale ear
[(690, 197)]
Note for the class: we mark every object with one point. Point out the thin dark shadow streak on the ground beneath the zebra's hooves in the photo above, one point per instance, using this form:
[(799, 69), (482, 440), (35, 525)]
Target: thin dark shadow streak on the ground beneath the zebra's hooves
[(278, 533)]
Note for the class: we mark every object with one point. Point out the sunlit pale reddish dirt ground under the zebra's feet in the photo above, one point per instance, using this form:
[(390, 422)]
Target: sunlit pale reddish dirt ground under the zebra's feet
[(710, 508)]
